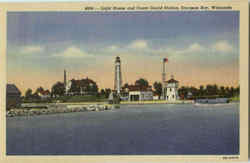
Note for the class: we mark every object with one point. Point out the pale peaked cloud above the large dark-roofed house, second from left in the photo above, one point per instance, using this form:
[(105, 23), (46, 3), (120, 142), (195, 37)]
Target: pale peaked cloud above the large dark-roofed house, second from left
[(73, 52)]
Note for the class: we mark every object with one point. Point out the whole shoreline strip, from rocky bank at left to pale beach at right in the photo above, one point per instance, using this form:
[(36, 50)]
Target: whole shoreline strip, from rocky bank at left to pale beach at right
[(35, 109)]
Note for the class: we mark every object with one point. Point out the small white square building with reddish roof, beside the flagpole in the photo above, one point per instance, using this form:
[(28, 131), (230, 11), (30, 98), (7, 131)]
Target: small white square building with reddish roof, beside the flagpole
[(171, 89)]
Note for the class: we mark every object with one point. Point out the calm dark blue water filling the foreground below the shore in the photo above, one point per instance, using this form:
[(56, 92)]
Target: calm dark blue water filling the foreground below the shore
[(171, 129)]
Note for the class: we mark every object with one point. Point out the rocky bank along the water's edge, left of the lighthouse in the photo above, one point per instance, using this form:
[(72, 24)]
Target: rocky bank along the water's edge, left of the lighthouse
[(54, 109)]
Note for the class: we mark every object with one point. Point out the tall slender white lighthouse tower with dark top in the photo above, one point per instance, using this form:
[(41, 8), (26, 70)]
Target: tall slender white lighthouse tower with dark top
[(118, 75)]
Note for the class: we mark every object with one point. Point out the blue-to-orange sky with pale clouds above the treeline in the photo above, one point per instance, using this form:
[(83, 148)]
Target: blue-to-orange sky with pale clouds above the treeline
[(202, 47)]
